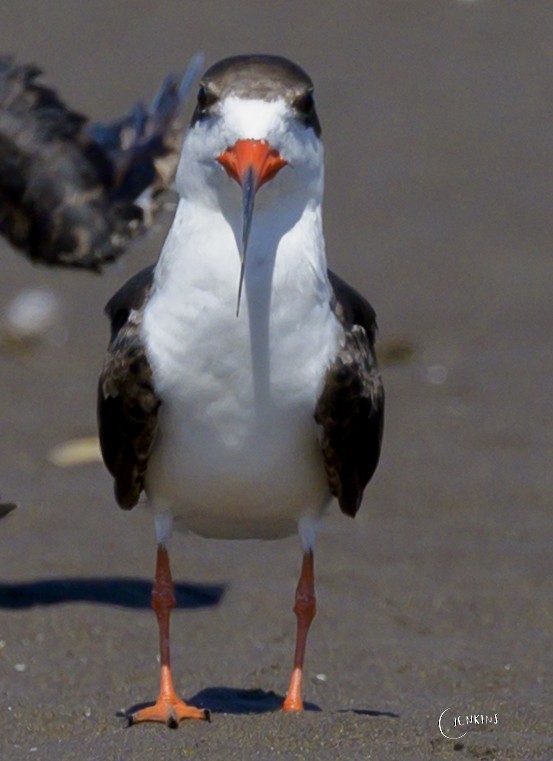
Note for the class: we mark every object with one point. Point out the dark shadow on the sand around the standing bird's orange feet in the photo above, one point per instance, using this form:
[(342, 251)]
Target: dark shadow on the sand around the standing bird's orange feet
[(232, 701)]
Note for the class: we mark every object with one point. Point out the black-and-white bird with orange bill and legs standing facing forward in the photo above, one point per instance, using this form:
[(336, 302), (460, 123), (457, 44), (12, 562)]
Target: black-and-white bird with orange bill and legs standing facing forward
[(240, 391)]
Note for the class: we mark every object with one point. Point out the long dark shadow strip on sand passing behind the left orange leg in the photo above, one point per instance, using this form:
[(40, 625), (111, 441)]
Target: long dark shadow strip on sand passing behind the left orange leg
[(121, 591)]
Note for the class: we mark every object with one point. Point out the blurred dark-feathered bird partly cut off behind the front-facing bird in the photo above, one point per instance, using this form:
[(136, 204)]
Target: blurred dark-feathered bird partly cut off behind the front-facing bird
[(72, 192)]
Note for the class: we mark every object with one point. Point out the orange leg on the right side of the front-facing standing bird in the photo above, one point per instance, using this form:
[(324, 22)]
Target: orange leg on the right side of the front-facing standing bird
[(305, 610)]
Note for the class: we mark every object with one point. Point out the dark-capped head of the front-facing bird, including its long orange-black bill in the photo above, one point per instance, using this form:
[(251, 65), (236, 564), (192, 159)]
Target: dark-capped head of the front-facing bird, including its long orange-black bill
[(254, 129)]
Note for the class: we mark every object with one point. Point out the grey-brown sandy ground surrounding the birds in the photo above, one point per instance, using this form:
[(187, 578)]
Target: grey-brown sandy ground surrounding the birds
[(437, 125)]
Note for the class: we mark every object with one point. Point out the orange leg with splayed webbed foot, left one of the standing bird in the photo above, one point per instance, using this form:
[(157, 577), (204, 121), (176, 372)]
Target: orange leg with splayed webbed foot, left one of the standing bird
[(168, 708)]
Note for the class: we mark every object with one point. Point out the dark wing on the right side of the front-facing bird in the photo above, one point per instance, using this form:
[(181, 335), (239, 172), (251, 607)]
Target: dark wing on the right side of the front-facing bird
[(350, 410)]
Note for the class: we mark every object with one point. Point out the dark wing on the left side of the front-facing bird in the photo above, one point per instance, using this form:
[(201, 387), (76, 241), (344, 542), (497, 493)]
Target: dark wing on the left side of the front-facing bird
[(127, 402)]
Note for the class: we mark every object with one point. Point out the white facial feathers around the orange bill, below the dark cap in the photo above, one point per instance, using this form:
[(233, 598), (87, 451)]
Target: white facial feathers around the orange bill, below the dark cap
[(202, 179)]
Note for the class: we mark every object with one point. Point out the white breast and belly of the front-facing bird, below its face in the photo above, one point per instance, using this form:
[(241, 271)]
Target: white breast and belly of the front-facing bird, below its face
[(237, 453)]
